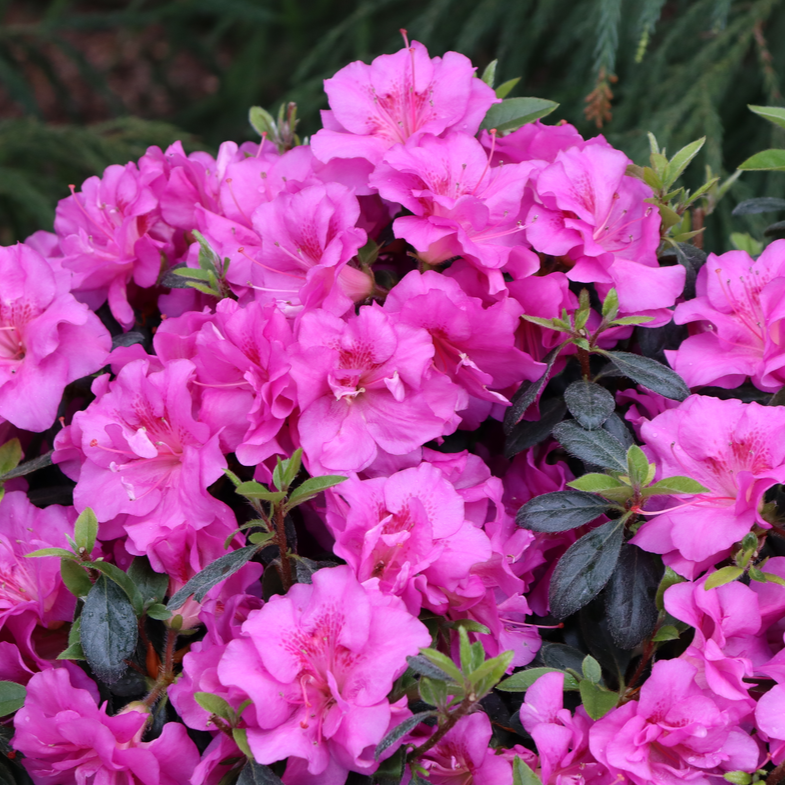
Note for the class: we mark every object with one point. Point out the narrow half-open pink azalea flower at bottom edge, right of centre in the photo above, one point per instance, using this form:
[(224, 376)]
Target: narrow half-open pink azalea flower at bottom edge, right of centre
[(562, 738)]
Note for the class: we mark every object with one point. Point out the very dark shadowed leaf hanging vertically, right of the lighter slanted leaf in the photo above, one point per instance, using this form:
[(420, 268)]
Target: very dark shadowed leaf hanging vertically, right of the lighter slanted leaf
[(630, 596)]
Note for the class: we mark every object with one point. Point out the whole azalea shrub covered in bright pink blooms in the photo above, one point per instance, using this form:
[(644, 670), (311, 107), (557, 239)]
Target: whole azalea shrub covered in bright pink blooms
[(432, 449)]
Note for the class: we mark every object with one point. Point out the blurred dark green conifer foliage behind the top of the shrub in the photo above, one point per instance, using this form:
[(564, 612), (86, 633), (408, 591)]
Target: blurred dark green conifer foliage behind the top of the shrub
[(86, 84)]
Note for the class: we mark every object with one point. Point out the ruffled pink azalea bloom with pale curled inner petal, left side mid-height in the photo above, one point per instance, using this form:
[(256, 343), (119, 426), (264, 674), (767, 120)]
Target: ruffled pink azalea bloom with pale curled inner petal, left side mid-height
[(142, 461)]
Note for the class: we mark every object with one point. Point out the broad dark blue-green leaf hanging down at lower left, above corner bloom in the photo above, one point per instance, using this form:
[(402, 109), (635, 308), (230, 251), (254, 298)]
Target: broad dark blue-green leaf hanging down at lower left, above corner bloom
[(108, 629)]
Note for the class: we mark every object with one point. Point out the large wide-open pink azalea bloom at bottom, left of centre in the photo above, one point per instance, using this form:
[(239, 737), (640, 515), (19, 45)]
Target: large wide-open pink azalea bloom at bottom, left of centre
[(318, 664)]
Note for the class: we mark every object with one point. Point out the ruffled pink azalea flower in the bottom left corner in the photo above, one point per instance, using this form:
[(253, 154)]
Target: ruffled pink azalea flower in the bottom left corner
[(67, 739)]
